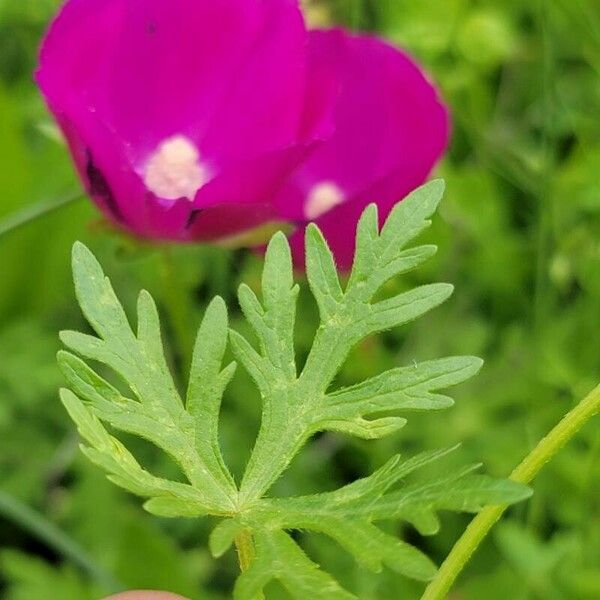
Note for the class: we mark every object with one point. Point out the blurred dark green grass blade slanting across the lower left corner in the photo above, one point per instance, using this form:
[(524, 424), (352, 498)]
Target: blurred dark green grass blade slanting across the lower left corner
[(40, 527)]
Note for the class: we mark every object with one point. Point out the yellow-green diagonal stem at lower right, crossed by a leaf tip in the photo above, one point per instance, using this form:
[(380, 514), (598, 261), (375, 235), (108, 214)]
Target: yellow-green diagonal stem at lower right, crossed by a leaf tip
[(524, 473)]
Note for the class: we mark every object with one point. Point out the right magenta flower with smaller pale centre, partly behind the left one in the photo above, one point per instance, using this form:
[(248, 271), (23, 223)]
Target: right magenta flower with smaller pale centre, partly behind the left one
[(390, 129)]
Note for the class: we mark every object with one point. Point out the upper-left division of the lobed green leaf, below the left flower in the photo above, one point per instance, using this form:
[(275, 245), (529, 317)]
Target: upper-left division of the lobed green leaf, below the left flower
[(157, 412)]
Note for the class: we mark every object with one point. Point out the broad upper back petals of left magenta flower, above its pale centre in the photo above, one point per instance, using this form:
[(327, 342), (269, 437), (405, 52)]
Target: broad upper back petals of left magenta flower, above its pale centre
[(155, 68)]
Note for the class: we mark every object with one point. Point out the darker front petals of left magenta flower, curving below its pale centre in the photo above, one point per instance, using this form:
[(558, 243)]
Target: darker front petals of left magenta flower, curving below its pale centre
[(235, 201)]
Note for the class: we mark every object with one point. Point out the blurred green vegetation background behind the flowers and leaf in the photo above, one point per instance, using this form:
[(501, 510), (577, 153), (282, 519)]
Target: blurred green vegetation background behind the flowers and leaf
[(519, 236)]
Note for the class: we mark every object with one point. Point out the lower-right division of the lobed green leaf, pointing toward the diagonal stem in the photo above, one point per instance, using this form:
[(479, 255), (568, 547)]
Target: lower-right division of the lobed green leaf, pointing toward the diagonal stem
[(347, 515)]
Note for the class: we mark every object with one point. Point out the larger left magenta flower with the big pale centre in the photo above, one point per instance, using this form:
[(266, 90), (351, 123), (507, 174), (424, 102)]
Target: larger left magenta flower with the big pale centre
[(228, 83)]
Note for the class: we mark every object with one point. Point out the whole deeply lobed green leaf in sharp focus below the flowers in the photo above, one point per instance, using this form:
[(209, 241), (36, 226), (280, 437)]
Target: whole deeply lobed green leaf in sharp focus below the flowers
[(296, 404)]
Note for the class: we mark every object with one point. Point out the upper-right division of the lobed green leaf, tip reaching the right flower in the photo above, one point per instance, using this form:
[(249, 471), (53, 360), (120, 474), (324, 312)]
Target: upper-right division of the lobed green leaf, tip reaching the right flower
[(296, 405)]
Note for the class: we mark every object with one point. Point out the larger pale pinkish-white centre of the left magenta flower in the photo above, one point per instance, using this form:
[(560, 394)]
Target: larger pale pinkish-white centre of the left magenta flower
[(174, 169)]
